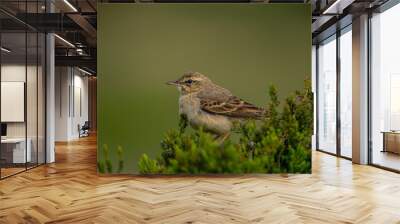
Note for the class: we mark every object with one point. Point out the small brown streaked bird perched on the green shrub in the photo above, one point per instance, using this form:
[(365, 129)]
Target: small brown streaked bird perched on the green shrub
[(212, 107)]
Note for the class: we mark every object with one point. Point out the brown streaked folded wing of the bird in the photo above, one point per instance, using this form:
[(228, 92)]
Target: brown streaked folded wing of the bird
[(232, 107)]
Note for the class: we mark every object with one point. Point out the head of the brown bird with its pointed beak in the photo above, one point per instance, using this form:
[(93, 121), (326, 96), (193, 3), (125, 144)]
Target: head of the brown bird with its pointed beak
[(191, 82)]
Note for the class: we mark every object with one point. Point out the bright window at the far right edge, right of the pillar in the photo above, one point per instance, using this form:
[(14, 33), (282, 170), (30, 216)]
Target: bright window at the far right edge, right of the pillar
[(385, 89)]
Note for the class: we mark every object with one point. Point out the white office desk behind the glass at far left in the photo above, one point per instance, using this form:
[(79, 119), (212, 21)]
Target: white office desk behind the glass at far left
[(13, 150)]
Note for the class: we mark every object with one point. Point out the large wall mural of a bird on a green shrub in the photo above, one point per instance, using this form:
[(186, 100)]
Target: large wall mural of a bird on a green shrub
[(204, 88)]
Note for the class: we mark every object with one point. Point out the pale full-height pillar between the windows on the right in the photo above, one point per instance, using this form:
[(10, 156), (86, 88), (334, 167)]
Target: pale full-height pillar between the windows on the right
[(360, 90)]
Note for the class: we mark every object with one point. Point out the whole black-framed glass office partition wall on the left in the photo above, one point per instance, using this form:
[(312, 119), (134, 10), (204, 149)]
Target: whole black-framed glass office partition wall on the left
[(22, 107)]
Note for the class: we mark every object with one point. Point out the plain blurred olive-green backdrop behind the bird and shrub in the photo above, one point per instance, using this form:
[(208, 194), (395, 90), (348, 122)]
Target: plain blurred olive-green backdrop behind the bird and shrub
[(243, 47)]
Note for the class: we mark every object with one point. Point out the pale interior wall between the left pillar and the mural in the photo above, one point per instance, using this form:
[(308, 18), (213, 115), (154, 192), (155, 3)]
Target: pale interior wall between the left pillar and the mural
[(71, 102)]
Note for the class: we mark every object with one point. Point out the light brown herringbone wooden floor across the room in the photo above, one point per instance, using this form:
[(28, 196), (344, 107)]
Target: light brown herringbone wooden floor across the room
[(70, 191)]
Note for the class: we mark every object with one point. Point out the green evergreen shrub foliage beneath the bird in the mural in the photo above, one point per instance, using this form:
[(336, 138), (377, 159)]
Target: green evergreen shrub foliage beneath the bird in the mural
[(280, 143)]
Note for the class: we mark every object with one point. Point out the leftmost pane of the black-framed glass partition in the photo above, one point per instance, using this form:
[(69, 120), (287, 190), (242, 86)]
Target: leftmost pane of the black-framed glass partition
[(14, 153)]
